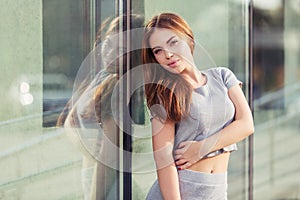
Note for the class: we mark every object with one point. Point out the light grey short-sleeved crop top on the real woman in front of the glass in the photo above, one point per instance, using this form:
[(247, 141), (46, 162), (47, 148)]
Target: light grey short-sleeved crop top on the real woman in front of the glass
[(211, 109)]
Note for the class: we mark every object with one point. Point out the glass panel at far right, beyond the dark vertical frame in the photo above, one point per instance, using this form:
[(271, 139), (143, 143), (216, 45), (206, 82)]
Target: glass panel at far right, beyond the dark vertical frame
[(276, 105)]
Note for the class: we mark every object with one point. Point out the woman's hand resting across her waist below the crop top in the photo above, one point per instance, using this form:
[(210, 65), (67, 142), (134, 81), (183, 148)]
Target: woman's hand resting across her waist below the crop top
[(187, 154)]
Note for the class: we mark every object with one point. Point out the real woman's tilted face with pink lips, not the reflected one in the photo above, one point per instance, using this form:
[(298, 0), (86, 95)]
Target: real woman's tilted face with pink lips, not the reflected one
[(170, 50)]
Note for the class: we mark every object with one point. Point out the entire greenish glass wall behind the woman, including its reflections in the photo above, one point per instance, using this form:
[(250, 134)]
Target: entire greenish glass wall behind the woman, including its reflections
[(80, 58)]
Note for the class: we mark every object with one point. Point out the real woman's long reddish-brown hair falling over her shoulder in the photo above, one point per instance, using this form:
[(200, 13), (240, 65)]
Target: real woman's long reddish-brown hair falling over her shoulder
[(162, 87)]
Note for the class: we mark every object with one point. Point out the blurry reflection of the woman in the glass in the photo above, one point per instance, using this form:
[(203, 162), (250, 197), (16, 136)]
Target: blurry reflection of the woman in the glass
[(91, 110)]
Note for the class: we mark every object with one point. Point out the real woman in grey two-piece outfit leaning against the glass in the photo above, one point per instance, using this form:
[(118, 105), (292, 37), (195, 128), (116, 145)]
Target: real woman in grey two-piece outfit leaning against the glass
[(197, 117)]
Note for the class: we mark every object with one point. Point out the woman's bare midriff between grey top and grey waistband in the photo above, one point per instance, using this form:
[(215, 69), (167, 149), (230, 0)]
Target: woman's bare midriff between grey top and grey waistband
[(217, 164)]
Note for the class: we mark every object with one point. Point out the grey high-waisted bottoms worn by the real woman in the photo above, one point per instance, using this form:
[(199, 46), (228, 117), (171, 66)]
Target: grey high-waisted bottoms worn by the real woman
[(196, 185)]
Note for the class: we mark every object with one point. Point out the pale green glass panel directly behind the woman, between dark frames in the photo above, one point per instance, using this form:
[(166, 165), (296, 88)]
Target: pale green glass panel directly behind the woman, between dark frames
[(221, 32)]
